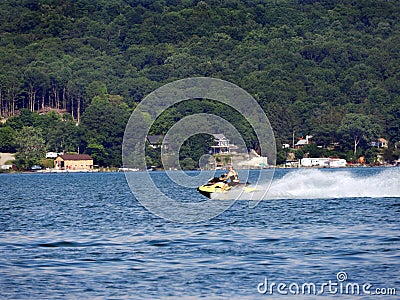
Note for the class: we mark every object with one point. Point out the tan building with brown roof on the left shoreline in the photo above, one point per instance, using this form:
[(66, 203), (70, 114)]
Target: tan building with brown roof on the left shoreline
[(74, 162)]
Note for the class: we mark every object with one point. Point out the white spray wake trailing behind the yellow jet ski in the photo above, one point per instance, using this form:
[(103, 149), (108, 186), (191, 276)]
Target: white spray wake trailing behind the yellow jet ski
[(328, 184)]
